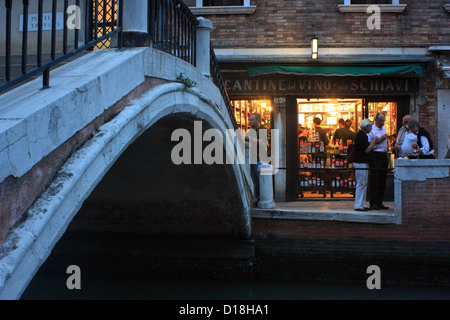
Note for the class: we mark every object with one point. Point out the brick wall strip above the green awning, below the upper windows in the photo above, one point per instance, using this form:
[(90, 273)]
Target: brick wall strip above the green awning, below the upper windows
[(291, 23)]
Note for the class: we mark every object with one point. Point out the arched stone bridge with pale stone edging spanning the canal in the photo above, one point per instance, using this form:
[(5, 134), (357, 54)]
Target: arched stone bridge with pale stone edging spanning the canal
[(97, 144)]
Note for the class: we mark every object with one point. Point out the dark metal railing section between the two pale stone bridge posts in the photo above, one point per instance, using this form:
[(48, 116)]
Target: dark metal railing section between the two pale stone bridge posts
[(173, 28)]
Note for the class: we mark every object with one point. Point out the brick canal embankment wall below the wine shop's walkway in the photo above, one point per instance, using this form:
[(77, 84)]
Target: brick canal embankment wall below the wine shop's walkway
[(415, 252)]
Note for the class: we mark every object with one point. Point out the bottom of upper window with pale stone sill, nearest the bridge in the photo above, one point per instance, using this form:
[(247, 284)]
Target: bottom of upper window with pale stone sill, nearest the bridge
[(223, 7)]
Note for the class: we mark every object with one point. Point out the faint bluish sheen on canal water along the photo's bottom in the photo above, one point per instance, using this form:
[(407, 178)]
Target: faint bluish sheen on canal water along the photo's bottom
[(54, 287)]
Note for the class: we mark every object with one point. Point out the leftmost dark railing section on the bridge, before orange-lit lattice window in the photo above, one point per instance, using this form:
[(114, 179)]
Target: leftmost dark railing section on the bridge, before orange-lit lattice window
[(94, 20)]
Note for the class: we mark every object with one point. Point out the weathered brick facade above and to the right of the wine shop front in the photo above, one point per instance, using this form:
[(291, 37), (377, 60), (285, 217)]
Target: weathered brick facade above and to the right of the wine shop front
[(291, 24)]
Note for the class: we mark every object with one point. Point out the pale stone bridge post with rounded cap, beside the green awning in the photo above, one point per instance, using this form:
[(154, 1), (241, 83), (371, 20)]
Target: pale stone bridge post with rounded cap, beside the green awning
[(203, 60)]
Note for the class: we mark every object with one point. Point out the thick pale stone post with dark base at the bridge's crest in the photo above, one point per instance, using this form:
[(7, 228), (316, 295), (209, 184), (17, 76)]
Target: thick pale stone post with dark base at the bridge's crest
[(135, 25)]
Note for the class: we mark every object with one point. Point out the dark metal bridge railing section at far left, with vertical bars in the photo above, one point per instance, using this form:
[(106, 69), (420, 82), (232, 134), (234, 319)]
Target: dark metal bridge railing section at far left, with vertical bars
[(96, 29)]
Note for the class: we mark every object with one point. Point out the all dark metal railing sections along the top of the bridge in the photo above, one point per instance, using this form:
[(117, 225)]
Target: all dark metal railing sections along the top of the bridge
[(83, 25)]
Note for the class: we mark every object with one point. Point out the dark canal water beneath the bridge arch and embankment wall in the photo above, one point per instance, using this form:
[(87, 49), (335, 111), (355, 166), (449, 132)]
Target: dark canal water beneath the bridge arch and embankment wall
[(133, 270)]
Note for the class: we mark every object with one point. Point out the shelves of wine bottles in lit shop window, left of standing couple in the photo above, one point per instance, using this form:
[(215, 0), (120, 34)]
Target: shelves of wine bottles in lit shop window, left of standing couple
[(324, 170)]
